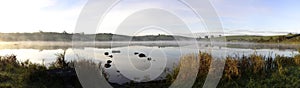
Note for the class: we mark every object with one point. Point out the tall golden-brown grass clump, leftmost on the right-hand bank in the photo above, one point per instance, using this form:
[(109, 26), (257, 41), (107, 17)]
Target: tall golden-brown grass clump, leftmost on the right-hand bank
[(190, 63)]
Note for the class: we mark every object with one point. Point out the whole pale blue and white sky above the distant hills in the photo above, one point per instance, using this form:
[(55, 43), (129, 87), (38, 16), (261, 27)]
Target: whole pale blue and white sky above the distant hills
[(235, 15)]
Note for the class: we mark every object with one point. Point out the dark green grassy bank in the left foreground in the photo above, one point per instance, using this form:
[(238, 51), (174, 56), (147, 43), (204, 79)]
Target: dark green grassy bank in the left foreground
[(15, 74)]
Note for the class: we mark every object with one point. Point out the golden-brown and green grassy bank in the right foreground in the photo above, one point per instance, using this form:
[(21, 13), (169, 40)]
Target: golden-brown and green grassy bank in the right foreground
[(246, 71)]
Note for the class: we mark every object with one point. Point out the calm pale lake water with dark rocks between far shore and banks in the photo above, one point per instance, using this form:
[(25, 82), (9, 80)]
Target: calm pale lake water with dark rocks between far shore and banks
[(162, 54)]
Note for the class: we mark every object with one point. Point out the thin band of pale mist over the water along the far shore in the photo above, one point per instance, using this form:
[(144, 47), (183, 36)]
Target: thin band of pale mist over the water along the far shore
[(108, 45)]
